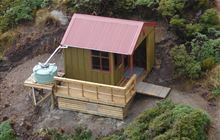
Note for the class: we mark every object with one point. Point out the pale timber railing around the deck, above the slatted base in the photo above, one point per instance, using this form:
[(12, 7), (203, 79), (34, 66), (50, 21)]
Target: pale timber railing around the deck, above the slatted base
[(95, 92)]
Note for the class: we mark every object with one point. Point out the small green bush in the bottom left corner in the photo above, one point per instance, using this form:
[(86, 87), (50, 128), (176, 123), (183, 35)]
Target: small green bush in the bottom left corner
[(6, 131)]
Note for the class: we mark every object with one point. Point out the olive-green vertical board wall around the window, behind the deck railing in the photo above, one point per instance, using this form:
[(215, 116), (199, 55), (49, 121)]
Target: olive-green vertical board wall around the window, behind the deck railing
[(78, 66)]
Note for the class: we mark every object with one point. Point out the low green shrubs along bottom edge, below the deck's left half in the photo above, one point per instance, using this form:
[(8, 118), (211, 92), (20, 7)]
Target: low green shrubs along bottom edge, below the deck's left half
[(79, 133)]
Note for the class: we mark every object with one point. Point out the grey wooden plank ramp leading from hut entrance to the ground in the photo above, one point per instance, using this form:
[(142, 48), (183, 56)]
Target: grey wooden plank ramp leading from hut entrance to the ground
[(152, 90)]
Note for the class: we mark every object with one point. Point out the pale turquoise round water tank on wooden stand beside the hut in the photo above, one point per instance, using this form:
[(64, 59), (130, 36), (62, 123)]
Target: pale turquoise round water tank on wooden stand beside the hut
[(44, 74)]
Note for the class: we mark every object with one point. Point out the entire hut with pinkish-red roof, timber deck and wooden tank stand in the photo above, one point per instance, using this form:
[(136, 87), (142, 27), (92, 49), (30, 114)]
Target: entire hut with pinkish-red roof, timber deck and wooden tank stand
[(103, 59)]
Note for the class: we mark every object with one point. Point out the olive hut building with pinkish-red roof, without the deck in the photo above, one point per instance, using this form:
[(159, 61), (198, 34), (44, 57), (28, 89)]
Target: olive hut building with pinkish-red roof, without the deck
[(108, 50)]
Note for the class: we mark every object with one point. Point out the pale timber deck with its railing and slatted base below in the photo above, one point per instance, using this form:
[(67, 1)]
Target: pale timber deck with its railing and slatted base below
[(95, 98)]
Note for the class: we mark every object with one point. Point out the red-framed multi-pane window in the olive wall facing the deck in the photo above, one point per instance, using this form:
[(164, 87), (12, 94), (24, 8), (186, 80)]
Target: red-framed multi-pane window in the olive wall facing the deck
[(100, 60)]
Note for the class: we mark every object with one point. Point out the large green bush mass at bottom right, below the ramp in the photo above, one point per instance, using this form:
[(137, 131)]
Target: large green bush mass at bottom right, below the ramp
[(166, 121)]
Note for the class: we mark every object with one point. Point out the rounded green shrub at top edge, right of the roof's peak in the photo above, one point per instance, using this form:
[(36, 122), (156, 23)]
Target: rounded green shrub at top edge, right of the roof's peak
[(169, 8)]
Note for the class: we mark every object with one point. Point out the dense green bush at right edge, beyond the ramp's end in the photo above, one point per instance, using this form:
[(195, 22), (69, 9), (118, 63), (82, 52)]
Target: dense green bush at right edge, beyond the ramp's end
[(203, 55)]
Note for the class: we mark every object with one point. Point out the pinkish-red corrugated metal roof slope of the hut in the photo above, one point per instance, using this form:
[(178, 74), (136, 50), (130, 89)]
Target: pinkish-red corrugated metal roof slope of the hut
[(103, 34)]
